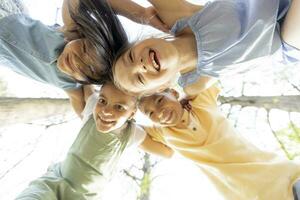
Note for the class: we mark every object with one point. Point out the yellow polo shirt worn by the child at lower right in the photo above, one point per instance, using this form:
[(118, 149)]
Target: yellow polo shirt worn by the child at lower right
[(238, 169)]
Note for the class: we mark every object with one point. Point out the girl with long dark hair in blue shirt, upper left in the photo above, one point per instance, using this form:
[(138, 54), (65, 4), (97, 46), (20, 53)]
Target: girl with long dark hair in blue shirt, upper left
[(63, 60)]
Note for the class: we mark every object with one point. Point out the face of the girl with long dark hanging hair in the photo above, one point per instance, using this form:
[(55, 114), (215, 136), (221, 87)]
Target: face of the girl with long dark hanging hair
[(78, 60)]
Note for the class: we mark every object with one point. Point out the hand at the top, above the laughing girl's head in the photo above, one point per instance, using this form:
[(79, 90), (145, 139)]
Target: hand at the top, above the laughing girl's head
[(151, 18)]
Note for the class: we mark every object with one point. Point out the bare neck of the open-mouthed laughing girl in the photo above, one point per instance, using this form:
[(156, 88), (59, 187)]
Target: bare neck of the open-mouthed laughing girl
[(187, 49)]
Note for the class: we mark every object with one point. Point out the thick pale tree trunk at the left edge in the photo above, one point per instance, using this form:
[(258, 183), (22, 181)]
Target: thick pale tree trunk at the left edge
[(25, 110)]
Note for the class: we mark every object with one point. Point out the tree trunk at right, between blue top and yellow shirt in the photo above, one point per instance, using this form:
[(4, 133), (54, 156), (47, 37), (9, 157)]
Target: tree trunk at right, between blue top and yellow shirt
[(287, 103)]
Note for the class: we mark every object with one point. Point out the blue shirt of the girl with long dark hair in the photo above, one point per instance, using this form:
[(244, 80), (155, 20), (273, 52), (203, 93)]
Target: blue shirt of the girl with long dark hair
[(31, 48)]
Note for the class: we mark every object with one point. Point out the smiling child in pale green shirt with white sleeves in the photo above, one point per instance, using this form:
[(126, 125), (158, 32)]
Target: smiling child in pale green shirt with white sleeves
[(92, 159)]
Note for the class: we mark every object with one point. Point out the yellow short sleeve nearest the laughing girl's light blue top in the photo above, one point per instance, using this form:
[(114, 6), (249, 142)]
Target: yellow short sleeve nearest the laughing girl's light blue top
[(207, 97)]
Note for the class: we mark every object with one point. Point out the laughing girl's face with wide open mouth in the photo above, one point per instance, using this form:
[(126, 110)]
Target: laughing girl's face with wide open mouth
[(147, 66)]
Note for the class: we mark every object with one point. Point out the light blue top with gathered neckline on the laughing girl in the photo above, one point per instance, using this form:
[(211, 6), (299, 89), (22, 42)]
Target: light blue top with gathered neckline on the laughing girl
[(229, 33)]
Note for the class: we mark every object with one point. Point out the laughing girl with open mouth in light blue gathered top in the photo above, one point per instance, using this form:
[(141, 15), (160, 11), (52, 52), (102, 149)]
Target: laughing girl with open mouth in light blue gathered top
[(222, 37)]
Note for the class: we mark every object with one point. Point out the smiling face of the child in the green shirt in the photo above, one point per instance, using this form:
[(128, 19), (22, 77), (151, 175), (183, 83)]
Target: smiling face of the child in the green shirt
[(113, 108)]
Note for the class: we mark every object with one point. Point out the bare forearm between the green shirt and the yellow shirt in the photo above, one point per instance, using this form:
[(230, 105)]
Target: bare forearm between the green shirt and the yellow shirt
[(156, 148)]
